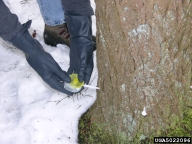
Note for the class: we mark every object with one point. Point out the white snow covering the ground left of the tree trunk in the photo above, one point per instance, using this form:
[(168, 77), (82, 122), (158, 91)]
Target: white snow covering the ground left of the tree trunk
[(30, 111)]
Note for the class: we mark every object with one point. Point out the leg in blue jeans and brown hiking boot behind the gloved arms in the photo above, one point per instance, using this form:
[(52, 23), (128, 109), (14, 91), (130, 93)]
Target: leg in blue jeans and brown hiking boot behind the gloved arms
[(56, 31)]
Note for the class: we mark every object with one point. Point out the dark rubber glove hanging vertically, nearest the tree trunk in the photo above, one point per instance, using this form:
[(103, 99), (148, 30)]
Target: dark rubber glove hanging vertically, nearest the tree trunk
[(81, 46)]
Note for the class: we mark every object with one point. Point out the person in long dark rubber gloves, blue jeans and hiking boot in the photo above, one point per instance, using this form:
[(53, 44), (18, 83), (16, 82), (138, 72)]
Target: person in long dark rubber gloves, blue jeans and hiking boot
[(75, 21)]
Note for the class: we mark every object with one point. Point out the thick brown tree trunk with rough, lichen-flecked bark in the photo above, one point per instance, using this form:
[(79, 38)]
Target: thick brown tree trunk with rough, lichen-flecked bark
[(144, 60)]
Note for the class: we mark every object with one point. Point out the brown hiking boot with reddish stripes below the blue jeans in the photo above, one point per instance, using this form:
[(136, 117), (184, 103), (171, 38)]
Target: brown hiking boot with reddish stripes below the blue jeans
[(54, 35)]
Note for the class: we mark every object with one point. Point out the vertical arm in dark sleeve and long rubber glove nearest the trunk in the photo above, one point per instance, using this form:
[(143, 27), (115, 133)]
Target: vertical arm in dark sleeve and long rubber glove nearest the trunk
[(78, 19)]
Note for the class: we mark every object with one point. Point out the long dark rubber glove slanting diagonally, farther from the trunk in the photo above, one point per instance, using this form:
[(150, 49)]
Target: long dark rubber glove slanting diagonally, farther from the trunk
[(41, 61)]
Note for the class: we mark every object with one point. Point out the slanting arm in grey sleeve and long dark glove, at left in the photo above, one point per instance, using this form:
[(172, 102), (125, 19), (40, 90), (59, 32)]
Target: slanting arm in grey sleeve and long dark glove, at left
[(41, 61)]
